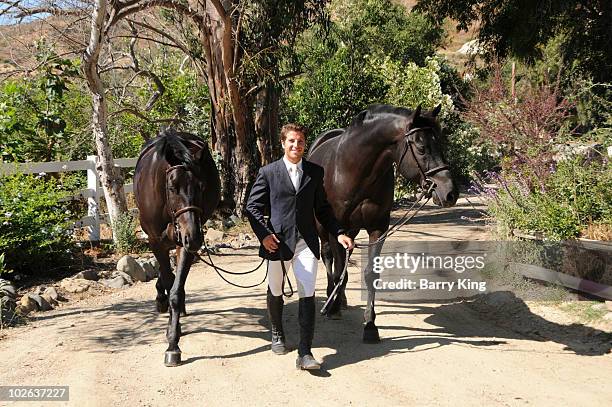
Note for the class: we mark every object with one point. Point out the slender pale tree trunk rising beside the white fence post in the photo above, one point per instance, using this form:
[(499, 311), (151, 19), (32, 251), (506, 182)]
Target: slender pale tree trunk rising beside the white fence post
[(110, 177)]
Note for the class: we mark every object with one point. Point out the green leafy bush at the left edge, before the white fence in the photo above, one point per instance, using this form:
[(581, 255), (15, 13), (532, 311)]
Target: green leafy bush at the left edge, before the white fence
[(34, 223)]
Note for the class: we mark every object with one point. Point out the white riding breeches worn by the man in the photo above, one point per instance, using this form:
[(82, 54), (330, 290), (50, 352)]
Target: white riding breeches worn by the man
[(304, 265)]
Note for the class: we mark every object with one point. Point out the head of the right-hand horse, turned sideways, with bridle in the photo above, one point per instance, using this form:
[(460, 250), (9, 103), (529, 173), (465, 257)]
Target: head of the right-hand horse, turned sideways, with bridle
[(419, 157)]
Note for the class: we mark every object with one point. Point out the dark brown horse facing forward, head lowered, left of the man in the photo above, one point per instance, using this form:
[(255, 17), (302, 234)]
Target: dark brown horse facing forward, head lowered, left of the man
[(177, 188)]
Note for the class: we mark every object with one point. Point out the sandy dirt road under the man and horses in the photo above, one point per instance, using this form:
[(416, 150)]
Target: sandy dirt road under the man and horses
[(109, 349)]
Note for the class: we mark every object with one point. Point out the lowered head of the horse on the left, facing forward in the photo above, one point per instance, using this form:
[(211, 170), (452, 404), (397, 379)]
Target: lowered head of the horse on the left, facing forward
[(184, 189)]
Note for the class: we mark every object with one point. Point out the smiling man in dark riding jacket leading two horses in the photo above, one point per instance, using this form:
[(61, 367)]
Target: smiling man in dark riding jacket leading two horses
[(291, 191)]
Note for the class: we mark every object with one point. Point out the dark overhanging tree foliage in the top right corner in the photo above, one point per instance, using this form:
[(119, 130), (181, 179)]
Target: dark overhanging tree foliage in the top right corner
[(522, 28)]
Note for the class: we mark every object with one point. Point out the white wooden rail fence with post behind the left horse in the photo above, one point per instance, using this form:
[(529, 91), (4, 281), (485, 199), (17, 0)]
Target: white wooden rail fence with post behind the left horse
[(93, 193)]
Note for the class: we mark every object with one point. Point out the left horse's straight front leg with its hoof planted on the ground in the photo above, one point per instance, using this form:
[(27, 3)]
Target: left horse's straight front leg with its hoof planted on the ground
[(177, 304)]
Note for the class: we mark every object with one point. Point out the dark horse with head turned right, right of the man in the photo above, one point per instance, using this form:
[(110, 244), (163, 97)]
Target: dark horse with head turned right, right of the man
[(359, 182)]
